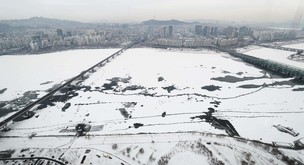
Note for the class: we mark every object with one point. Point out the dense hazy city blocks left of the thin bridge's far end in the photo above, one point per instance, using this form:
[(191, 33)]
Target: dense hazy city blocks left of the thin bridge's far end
[(57, 39)]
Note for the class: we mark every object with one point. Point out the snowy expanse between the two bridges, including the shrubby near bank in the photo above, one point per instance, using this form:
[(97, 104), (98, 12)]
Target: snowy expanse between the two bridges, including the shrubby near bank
[(156, 106)]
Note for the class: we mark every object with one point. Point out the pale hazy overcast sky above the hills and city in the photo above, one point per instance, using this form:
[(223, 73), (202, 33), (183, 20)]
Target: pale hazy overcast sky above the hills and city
[(140, 10)]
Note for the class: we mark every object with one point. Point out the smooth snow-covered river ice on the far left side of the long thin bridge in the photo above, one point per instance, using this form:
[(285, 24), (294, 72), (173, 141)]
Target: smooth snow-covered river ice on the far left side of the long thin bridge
[(21, 73)]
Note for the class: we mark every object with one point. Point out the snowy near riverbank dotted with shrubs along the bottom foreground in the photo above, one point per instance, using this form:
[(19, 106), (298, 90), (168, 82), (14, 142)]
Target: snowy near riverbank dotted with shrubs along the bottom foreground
[(156, 148)]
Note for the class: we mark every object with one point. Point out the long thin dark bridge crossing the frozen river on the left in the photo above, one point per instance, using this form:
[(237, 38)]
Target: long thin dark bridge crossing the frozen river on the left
[(81, 76)]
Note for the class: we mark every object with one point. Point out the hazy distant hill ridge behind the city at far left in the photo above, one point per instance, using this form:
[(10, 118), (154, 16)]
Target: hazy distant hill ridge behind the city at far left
[(43, 22)]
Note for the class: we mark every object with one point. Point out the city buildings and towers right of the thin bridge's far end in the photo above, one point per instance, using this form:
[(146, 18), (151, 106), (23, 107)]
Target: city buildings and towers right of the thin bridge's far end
[(202, 36)]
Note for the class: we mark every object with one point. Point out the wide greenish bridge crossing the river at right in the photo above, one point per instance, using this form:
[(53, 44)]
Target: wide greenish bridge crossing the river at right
[(277, 67)]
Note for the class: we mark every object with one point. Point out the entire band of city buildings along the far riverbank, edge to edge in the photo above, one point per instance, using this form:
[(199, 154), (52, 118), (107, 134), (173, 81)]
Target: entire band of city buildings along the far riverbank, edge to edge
[(184, 35)]
